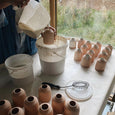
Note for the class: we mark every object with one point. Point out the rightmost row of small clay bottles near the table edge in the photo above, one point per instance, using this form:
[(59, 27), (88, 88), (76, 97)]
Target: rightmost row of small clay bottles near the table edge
[(103, 58)]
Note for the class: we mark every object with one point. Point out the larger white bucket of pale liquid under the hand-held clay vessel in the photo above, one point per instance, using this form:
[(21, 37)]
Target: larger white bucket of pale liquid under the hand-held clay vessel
[(52, 57)]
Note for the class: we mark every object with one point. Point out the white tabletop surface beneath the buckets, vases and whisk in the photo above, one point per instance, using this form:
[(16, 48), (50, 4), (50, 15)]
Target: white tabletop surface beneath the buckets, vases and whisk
[(102, 83)]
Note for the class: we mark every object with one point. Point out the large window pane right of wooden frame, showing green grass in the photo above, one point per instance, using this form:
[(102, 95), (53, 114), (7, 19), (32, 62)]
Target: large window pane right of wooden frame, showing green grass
[(90, 19)]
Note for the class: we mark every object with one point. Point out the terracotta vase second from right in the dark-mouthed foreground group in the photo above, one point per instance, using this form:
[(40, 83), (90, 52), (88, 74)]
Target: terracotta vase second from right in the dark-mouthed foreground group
[(58, 103)]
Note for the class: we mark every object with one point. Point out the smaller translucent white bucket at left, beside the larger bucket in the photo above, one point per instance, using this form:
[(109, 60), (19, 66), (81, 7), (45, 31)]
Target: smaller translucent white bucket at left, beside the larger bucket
[(20, 68)]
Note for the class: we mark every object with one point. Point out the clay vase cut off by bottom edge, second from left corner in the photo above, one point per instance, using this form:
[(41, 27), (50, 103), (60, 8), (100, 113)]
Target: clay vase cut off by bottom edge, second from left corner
[(16, 111)]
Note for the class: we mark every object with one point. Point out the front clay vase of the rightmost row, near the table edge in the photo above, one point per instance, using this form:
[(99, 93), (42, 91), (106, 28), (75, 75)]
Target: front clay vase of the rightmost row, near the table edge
[(100, 65)]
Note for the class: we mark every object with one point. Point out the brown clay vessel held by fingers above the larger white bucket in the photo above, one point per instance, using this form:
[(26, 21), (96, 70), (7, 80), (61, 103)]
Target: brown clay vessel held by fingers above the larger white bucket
[(48, 35)]
